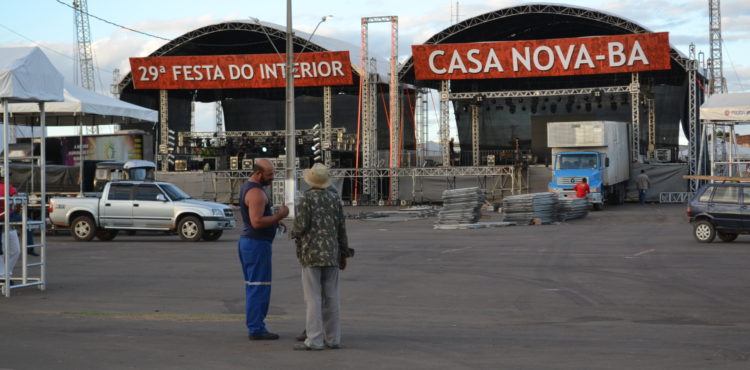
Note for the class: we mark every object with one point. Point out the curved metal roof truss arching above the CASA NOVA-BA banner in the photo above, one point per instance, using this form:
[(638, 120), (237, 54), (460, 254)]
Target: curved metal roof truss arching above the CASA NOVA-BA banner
[(558, 10)]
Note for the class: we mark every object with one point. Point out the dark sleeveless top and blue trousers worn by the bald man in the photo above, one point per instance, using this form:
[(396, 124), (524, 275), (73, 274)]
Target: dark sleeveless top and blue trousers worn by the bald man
[(255, 255)]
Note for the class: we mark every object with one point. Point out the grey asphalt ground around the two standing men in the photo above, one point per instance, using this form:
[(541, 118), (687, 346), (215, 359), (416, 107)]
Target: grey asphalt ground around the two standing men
[(622, 289)]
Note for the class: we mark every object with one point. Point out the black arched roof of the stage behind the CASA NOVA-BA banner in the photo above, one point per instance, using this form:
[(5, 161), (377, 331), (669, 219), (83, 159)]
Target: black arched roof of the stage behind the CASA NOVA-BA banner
[(538, 22)]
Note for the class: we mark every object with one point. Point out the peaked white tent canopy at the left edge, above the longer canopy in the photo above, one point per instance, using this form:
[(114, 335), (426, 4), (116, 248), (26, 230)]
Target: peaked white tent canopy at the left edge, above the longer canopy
[(26, 75)]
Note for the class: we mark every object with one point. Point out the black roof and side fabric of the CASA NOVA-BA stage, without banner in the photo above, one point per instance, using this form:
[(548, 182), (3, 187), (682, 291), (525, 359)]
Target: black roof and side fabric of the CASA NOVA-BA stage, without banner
[(499, 126)]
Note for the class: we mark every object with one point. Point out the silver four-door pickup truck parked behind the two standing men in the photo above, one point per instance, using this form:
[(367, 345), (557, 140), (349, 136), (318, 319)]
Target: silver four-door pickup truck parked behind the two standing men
[(141, 205)]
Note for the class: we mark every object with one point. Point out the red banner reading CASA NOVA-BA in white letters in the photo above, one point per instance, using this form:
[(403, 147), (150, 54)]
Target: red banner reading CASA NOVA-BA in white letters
[(543, 58)]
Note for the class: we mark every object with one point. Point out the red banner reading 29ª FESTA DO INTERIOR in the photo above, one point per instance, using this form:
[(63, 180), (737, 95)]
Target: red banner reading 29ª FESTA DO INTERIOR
[(240, 71)]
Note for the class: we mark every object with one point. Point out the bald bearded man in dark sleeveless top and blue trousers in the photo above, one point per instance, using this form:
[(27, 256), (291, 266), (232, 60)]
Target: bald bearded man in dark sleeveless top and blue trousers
[(255, 247)]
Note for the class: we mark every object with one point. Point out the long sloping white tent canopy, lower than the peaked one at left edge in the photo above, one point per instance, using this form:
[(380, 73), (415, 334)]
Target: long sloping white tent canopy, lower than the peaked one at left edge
[(82, 106)]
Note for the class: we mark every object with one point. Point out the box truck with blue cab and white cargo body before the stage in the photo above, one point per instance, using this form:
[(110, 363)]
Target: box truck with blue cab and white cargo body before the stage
[(595, 150)]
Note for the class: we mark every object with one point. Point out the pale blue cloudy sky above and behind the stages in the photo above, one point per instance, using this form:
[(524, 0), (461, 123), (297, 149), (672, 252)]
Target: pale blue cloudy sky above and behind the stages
[(50, 25)]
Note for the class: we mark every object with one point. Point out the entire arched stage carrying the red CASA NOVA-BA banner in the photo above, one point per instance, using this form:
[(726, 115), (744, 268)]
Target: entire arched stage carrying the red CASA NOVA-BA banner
[(509, 72)]
